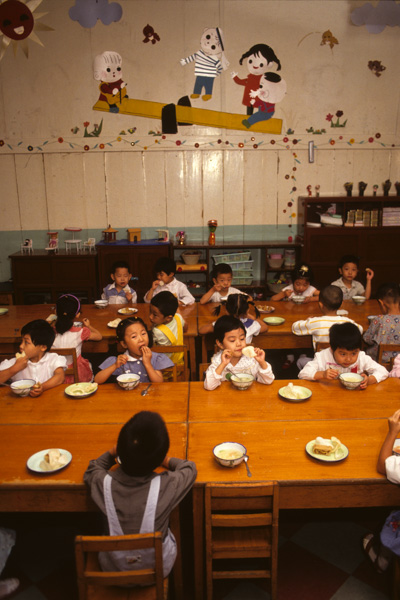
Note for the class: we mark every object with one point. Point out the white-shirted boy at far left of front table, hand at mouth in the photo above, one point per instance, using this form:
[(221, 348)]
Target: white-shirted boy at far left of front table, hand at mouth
[(35, 361)]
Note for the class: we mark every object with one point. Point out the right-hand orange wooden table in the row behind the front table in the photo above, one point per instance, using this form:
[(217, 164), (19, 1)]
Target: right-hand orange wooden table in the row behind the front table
[(281, 336)]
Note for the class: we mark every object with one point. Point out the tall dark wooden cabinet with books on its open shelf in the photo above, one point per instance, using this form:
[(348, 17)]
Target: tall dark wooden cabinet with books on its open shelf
[(376, 246)]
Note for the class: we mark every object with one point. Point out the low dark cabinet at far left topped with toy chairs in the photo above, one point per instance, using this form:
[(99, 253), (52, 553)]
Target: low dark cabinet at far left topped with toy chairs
[(42, 277)]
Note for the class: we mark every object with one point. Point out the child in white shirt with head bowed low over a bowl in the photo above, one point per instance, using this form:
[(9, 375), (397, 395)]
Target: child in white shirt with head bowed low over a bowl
[(344, 356)]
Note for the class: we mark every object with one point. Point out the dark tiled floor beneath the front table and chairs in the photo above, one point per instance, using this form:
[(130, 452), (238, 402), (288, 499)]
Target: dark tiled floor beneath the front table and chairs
[(320, 557)]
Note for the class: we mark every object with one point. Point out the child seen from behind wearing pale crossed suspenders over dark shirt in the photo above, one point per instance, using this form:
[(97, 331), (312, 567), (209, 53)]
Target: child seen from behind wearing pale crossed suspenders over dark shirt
[(127, 494)]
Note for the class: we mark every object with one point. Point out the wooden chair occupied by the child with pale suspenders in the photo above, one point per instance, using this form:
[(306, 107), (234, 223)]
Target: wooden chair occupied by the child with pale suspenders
[(95, 584)]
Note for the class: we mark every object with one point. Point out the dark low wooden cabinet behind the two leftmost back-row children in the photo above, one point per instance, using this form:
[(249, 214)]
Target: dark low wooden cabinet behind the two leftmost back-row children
[(141, 257)]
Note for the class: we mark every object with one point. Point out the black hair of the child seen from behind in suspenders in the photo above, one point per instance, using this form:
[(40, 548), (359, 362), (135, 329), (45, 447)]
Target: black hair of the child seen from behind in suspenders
[(143, 443)]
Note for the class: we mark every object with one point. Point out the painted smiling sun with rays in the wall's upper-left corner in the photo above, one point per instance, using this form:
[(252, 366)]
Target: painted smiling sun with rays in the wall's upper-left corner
[(18, 24)]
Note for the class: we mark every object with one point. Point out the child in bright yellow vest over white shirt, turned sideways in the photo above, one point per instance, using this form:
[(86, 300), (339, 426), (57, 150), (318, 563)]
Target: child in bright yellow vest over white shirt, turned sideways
[(168, 325)]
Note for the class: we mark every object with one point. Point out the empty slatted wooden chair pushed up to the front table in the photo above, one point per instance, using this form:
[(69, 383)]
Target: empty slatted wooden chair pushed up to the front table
[(241, 523)]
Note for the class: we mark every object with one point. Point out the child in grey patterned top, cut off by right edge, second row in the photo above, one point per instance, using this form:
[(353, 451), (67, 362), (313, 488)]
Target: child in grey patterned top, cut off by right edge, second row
[(385, 328)]
